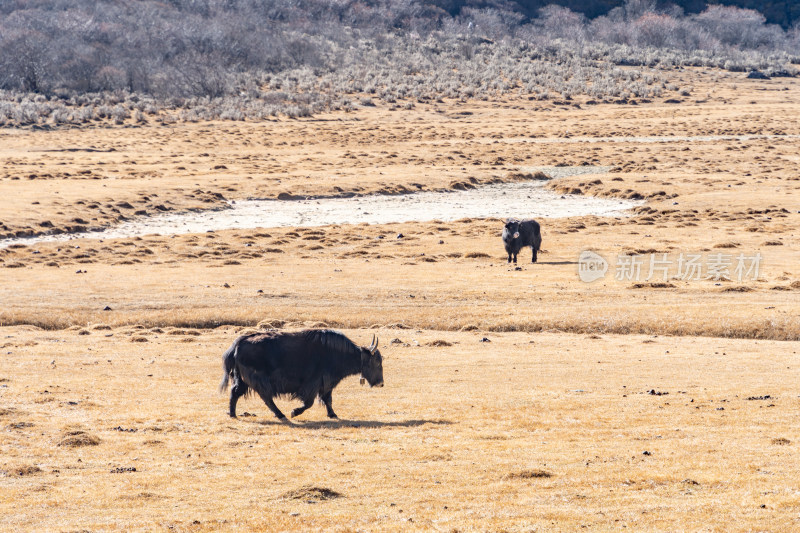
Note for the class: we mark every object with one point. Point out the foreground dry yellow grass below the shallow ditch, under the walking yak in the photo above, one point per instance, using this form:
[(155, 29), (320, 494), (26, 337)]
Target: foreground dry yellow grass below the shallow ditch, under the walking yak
[(523, 431)]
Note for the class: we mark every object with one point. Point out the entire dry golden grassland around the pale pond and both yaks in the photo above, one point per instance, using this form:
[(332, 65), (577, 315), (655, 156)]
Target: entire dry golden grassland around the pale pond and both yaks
[(110, 350)]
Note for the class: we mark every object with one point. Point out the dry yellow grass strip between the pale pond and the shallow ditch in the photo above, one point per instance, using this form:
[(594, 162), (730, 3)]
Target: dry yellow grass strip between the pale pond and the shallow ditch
[(356, 280)]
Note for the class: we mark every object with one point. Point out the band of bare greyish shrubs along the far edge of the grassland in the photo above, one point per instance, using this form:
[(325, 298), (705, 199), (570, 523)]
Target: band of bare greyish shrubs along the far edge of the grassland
[(251, 60)]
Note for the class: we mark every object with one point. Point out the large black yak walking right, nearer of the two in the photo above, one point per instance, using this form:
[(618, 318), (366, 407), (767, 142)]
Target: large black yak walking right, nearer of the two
[(302, 365)]
